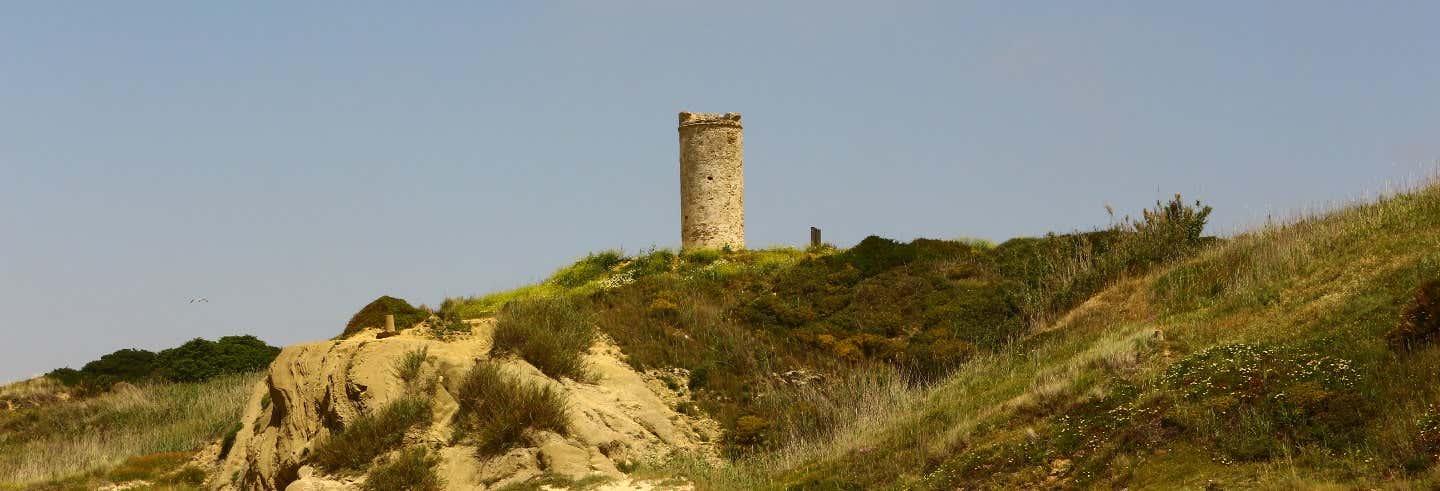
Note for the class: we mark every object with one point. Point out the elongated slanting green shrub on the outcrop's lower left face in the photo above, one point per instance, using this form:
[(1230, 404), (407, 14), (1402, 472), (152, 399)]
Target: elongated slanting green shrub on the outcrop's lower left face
[(372, 436)]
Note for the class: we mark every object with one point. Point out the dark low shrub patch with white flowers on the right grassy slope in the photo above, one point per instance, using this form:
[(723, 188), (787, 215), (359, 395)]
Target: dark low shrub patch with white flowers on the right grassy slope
[(1268, 392)]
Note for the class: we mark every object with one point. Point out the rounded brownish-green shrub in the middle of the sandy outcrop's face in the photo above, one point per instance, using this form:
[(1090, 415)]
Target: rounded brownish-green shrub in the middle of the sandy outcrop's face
[(498, 410)]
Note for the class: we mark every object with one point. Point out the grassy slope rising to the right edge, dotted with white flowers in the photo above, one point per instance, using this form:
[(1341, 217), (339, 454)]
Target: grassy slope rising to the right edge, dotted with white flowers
[(1261, 362)]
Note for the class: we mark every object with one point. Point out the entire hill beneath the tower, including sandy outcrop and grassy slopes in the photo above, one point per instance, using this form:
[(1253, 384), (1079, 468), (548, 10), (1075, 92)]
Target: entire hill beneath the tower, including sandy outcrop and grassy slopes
[(1143, 356)]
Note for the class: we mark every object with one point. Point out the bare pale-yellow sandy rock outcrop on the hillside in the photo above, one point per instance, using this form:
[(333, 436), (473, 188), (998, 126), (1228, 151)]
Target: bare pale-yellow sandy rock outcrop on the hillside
[(315, 391)]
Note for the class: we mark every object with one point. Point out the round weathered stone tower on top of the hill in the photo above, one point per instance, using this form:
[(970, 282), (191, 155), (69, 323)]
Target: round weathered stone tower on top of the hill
[(712, 181)]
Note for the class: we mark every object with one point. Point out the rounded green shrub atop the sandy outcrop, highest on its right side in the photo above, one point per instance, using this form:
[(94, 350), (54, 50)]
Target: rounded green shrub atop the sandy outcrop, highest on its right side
[(551, 333)]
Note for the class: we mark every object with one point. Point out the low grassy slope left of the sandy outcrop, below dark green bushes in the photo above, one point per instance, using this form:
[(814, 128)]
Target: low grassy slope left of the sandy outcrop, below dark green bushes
[(132, 433)]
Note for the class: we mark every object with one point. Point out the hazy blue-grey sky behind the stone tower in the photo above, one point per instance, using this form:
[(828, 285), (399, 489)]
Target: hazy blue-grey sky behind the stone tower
[(293, 161)]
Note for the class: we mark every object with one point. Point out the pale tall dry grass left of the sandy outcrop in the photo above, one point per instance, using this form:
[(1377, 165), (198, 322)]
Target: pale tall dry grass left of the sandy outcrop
[(67, 438)]
